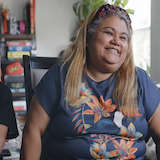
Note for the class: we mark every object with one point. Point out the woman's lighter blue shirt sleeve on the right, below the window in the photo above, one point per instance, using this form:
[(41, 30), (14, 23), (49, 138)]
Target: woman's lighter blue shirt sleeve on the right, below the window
[(150, 93)]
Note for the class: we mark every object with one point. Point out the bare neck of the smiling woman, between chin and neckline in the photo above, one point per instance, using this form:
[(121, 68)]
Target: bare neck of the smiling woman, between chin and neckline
[(97, 76)]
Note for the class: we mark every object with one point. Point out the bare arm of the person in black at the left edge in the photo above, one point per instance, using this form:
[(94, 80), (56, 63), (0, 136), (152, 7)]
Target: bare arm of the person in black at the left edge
[(3, 134)]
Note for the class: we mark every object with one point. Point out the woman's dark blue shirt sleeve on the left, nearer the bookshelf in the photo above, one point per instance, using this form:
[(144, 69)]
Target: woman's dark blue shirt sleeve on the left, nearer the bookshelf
[(49, 89)]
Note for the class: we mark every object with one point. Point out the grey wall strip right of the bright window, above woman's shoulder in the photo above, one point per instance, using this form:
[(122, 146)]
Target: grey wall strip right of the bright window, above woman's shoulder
[(155, 40)]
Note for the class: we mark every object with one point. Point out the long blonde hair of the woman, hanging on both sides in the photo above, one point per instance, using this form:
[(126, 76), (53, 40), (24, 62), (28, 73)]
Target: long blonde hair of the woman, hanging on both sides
[(125, 91)]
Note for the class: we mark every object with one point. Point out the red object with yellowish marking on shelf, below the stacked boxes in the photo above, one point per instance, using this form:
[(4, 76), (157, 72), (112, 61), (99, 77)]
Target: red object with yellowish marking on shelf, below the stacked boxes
[(14, 69)]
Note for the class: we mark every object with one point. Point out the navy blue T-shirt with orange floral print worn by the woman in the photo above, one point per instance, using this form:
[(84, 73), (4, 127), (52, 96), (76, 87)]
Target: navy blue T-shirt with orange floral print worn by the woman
[(92, 127)]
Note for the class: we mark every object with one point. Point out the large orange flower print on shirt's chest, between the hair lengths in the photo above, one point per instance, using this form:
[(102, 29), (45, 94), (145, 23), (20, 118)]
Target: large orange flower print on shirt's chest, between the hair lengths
[(100, 108)]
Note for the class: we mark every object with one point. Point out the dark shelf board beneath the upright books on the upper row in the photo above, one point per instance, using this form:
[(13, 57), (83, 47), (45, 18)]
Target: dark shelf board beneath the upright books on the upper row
[(17, 37)]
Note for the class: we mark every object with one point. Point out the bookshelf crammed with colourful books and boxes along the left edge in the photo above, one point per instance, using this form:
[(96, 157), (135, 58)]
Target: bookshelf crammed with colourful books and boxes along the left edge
[(11, 31)]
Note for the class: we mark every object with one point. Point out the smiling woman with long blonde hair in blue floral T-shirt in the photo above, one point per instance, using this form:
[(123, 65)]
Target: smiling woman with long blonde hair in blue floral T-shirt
[(96, 104)]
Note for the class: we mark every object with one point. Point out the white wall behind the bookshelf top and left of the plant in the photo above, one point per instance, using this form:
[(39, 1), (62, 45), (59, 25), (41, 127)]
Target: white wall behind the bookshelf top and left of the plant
[(55, 22)]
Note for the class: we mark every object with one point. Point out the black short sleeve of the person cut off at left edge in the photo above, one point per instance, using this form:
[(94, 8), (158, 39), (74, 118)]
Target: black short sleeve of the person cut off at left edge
[(7, 114)]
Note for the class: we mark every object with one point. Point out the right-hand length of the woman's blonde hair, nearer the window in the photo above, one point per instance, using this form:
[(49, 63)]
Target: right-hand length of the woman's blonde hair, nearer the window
[(125, 91)]
